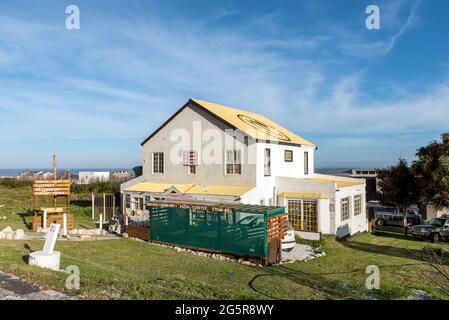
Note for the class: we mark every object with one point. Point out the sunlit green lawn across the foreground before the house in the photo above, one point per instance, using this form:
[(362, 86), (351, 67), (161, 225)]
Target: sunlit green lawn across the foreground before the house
[(131, 269)]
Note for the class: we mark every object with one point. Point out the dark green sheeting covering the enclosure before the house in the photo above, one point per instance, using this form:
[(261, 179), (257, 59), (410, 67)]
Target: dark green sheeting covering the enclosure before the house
[(237, 232)]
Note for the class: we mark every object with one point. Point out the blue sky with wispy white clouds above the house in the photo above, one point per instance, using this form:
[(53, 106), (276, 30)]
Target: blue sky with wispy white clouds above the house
[(365, 97)]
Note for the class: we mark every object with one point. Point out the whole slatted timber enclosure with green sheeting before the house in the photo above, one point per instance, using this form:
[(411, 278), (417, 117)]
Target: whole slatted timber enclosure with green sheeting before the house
[(250, 232)]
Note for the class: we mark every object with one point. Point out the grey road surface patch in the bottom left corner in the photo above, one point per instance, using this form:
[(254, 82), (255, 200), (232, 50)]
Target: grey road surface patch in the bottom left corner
[(14, 288)]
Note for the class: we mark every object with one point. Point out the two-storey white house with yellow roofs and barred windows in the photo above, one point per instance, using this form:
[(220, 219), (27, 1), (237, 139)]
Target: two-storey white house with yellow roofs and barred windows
[(210, 152)]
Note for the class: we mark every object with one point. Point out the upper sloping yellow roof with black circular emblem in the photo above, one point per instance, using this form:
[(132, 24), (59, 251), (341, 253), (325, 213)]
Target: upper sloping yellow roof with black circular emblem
[(253, 124)]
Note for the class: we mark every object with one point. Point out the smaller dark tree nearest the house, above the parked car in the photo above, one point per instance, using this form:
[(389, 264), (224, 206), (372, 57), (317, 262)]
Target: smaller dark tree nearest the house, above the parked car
[(398, 186)]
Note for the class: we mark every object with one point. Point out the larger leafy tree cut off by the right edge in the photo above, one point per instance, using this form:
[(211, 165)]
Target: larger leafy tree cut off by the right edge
[(432, 171)]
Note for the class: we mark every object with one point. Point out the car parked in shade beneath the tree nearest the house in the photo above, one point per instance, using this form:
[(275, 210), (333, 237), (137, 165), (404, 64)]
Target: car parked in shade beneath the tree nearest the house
[(390, 216)]
